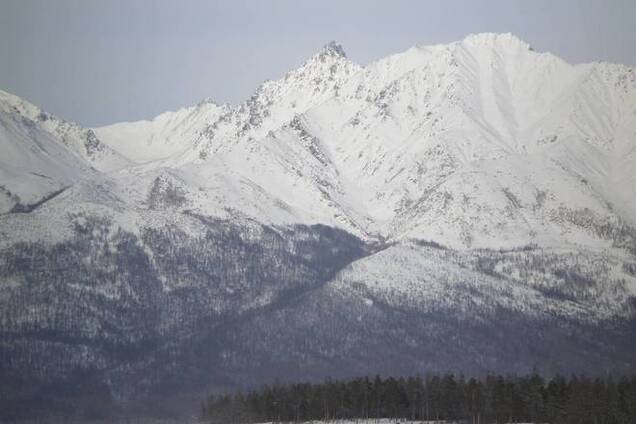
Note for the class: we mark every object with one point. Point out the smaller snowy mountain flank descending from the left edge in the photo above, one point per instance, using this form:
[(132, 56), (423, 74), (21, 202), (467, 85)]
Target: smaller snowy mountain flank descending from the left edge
[(42, 155)]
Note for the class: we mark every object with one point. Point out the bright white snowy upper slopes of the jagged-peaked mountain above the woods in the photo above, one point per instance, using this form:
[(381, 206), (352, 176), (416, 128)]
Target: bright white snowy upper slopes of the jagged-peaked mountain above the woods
[(479, 143)]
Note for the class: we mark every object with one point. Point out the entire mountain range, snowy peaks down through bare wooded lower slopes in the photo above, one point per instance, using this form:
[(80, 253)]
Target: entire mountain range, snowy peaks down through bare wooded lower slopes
[(468, 207)]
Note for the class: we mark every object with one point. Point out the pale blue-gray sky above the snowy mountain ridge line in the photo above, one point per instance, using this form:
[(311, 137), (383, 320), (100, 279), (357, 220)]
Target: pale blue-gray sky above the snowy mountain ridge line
[(98, 62)]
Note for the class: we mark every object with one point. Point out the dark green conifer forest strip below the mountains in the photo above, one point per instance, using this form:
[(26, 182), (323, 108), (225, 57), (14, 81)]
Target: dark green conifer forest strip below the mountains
[(493, 399)]
